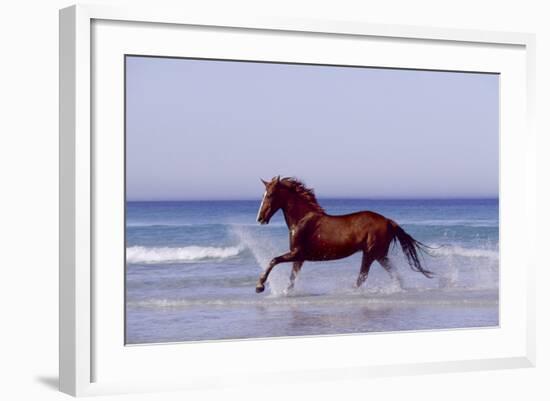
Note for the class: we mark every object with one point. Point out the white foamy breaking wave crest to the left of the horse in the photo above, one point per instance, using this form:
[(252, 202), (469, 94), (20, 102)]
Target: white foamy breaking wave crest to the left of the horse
[(141, 254)]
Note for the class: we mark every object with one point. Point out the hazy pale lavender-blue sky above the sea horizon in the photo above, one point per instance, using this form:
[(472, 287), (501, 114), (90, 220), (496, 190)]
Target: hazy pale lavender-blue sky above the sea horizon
[(205, 129)]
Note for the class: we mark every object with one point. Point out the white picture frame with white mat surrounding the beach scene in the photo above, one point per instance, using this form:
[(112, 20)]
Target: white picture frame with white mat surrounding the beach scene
[(88, 347)]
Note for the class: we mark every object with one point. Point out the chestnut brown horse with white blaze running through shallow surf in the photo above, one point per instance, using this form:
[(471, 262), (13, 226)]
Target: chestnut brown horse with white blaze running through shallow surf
[(317, 236)]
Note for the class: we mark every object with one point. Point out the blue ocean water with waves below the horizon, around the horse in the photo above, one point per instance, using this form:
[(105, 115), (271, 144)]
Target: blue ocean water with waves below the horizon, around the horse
[(192, 267)]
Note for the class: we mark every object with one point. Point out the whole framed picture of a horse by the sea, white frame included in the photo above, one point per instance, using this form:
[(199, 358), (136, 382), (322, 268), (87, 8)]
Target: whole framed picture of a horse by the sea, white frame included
[(356, 198)]
